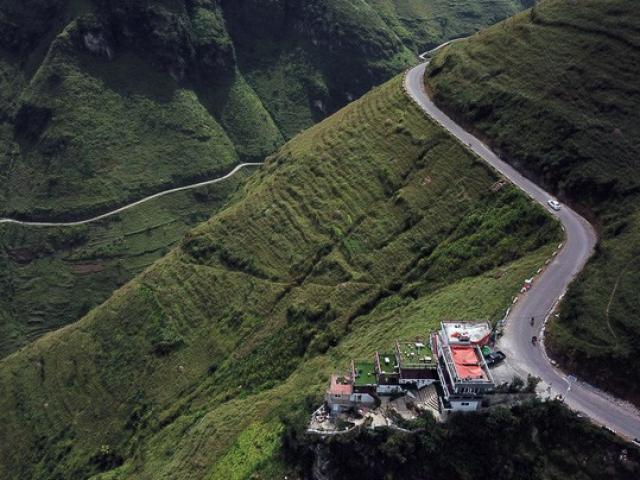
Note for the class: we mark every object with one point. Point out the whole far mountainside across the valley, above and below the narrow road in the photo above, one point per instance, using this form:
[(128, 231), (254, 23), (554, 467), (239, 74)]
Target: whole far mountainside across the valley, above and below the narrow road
[(103, 102)]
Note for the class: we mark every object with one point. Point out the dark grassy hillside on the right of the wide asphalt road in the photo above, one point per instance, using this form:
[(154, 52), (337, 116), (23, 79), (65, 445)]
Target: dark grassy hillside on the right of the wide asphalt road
[(556, 91)]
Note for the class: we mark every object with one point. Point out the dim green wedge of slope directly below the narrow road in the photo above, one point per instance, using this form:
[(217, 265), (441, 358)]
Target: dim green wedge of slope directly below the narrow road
[(51, 277)]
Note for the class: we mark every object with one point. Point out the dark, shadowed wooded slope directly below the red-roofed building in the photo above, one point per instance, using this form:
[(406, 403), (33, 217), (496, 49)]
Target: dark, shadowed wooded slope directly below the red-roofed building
[(546, 441)]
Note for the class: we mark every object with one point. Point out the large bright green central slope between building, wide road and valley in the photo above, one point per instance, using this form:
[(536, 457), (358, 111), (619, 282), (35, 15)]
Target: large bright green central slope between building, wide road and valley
[(372, 225)]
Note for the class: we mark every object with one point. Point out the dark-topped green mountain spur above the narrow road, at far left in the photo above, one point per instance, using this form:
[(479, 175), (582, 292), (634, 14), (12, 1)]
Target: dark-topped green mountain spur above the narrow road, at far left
[(127, 98)]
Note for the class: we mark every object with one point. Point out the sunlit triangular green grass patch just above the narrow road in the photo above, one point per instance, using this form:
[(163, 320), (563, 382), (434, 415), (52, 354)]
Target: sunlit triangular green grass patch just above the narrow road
[(162, 137)]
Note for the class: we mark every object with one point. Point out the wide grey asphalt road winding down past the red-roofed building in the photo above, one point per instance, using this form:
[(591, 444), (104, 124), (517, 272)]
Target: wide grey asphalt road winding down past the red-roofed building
[(548, 288)]
